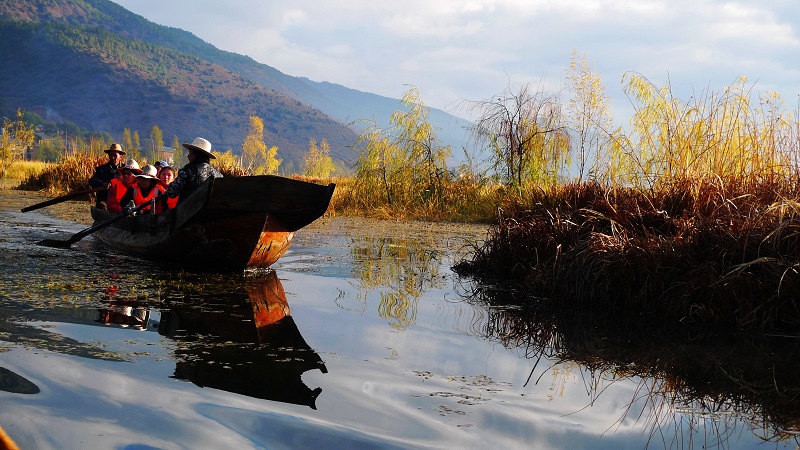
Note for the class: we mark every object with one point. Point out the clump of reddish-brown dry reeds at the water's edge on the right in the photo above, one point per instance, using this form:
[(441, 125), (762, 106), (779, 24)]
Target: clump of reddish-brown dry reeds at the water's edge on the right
[(721, 253)]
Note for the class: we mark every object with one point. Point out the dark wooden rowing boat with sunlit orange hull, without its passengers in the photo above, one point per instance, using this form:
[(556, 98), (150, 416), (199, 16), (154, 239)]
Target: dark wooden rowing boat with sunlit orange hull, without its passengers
[(227, 224)]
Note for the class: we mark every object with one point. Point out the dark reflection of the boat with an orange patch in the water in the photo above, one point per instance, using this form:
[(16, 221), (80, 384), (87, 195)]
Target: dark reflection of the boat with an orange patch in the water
[(244, 342)]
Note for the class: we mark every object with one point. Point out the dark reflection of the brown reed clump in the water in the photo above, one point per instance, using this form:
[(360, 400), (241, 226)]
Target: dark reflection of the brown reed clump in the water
[(712, 380)]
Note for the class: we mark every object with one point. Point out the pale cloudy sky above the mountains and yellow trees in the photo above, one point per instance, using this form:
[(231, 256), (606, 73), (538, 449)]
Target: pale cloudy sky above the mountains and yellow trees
[(453, 51)]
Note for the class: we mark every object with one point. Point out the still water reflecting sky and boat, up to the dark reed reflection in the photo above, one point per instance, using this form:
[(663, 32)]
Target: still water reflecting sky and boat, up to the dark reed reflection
[(359, 338)]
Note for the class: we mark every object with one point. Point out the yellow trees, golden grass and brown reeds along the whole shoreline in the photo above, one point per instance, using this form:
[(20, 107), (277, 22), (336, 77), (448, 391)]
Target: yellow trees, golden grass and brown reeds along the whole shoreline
[(691, 211)]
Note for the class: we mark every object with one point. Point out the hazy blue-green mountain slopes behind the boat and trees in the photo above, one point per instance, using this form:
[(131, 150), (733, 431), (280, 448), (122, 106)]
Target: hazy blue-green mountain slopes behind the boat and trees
[(102, 67)]
